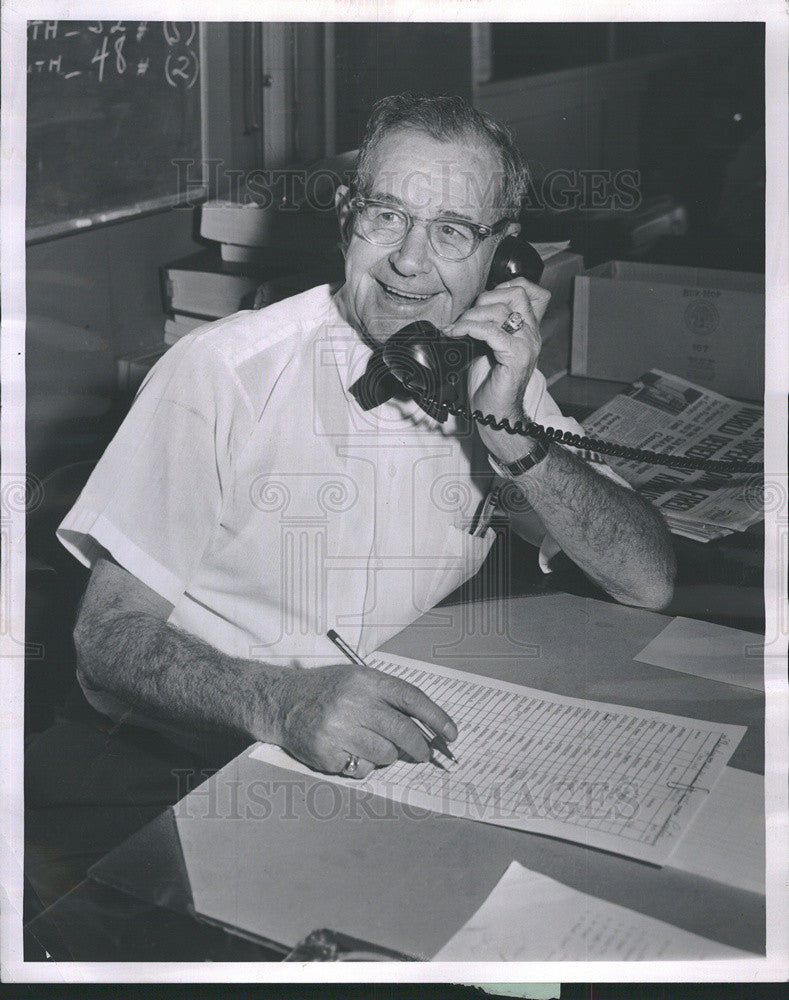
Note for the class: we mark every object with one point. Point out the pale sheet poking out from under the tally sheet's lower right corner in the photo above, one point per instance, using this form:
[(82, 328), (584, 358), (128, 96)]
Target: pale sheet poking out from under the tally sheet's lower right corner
[(725, 841)]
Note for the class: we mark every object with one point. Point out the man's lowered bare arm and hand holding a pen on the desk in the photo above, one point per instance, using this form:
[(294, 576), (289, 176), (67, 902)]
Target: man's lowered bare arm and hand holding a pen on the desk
[(321, 715)]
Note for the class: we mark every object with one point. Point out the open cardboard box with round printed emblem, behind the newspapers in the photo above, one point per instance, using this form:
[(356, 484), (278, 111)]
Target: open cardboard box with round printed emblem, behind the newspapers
[(705, 325)]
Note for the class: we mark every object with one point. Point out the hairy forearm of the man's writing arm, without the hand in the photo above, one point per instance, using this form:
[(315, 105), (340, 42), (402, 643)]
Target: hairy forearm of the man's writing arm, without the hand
[(169, 675)]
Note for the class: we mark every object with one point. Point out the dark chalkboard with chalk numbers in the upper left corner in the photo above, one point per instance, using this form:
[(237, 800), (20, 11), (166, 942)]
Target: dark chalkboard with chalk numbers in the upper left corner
[(113, 120)]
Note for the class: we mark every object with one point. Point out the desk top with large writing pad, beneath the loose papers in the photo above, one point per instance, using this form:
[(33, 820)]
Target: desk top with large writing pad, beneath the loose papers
[(557, 642)]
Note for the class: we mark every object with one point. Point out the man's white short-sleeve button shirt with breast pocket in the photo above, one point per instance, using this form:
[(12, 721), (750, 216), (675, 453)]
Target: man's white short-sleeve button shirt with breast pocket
[(248, 489)]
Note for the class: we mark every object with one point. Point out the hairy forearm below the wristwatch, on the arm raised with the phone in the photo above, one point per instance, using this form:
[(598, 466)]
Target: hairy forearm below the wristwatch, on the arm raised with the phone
[(617, 538)]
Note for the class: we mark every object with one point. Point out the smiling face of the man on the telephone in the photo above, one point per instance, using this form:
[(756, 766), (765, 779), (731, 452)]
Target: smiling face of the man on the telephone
[(387, 287)]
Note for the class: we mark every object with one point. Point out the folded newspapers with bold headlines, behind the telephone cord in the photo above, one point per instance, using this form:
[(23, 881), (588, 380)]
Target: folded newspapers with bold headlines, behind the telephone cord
[(666, 413)]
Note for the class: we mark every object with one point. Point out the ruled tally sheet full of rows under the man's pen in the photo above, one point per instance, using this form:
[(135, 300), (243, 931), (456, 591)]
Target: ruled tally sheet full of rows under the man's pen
[(621, 779)]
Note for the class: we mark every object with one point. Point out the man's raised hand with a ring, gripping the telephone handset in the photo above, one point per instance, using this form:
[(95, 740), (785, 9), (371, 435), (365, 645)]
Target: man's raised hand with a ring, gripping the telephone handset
[(498, 388)]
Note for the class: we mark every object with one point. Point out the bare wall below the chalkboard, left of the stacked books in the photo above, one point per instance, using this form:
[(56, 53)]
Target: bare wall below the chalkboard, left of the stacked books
[(90, 297)]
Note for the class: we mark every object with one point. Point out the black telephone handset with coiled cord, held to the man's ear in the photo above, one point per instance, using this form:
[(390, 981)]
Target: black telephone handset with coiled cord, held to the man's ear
[(431, 368)]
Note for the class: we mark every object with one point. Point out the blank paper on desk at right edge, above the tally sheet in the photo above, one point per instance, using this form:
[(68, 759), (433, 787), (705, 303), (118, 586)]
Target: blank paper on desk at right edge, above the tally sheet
[(708, 650)]
